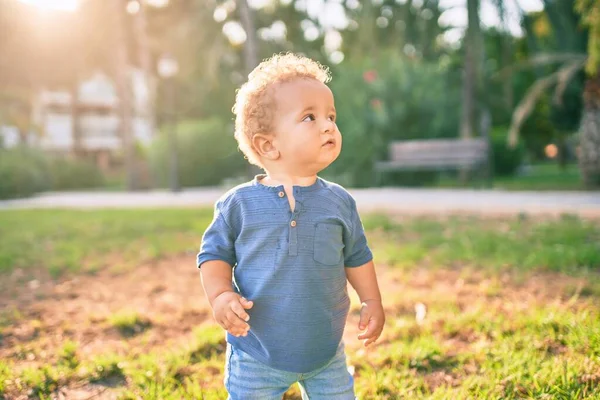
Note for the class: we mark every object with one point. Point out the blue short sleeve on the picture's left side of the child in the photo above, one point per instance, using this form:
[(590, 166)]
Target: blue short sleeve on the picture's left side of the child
[(218, 241)]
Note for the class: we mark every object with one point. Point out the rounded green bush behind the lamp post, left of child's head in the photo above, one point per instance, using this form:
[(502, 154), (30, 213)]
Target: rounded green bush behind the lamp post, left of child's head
[(207, 153)]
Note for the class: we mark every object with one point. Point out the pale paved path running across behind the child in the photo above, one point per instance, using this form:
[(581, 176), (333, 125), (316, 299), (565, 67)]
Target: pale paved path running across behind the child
[(416, 201)]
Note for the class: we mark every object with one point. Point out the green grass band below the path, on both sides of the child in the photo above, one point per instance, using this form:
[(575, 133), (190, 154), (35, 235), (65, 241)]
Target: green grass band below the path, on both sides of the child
[(62, 241)]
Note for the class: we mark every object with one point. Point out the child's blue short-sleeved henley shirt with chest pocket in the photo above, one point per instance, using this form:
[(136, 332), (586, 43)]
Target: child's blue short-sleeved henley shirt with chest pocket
[(291, 265)]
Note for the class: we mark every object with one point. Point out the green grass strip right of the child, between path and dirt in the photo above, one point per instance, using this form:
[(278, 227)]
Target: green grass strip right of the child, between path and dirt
[(568, 244)]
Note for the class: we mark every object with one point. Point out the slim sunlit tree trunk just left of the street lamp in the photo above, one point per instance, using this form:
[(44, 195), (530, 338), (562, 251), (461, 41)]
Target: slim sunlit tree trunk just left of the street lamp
[(124, 92)]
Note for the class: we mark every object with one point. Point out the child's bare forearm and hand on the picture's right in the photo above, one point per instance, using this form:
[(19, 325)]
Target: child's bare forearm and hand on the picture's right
[(372, 317)]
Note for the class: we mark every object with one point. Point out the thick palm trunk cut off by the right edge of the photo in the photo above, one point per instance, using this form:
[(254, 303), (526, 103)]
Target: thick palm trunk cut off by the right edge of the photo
[(589, 146)]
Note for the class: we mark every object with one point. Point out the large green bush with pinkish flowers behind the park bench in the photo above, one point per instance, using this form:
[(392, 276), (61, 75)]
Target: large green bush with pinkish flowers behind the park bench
[(385, 99)]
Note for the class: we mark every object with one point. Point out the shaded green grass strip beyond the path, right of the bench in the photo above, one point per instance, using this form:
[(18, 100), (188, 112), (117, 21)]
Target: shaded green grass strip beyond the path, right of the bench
[(539, 177)]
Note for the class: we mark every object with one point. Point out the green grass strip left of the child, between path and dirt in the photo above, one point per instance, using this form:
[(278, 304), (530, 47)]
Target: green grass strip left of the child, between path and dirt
[(63, 241)]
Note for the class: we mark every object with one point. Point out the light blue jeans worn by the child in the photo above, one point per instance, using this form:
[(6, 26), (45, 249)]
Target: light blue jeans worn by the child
[(248, 379)]
